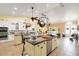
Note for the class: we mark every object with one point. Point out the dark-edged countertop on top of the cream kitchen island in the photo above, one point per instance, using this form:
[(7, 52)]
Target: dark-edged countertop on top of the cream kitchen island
[(39, 40)]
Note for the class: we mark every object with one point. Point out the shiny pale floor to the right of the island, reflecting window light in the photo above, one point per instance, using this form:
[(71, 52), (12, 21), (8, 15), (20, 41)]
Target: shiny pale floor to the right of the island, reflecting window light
[(66, 48)]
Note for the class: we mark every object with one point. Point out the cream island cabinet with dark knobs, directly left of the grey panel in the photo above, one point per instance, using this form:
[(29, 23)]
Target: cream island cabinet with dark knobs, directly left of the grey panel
[(41, 49)]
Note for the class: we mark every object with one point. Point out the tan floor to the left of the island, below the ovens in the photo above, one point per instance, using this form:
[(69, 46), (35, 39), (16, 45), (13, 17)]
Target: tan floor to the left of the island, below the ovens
[(9, 49)]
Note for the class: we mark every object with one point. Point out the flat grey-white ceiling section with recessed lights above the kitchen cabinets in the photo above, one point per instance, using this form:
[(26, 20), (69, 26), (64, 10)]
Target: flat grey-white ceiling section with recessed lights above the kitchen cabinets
[(24, 9)]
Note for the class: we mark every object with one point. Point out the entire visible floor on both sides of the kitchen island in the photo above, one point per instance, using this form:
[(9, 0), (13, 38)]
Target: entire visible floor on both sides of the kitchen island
[(65, 48)]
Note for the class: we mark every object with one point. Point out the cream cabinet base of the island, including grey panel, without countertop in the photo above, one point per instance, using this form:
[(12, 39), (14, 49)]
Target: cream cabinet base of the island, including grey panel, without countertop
[(41, 49)]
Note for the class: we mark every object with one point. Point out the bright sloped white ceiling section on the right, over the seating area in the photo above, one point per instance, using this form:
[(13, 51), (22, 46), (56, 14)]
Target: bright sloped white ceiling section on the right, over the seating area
[(68, 13)]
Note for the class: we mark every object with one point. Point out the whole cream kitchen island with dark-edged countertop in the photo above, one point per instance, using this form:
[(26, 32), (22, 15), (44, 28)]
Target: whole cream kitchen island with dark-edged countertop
[(42, 46)]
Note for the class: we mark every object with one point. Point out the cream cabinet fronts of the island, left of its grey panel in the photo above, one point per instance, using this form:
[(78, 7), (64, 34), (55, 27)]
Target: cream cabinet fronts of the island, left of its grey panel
[(36, 50)]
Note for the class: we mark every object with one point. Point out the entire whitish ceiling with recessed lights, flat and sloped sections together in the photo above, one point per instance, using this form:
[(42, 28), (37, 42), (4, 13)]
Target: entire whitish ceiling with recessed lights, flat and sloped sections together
[(56, 12)]
